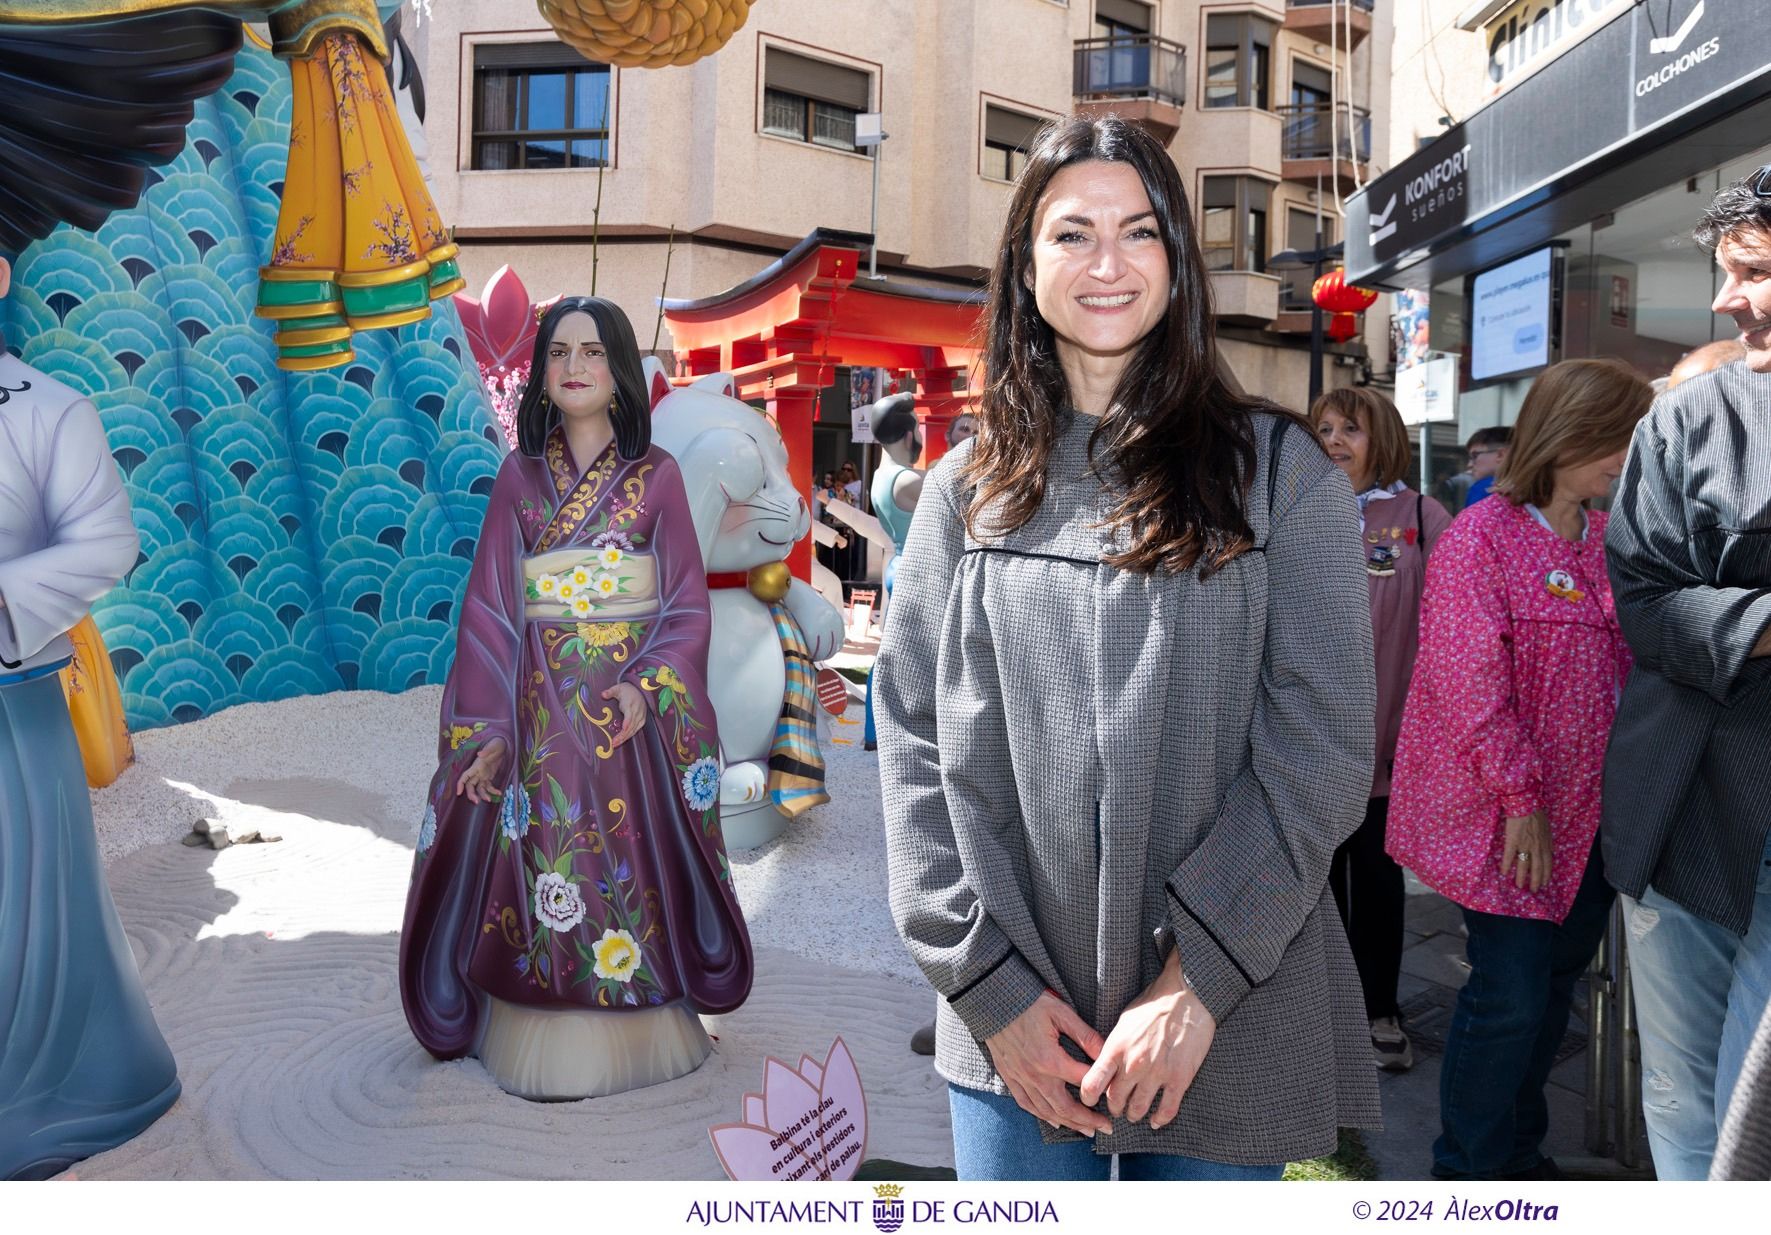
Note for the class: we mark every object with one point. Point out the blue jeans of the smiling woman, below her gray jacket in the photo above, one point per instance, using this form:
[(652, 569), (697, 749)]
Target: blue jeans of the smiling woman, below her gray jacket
[(996, 1140)]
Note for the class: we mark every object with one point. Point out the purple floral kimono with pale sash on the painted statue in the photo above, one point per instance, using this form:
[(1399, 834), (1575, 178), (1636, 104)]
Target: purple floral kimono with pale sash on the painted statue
[(599, 880)]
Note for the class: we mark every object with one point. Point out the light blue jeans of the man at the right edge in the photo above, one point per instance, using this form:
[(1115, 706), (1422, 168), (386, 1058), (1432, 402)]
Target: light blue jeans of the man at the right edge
[(1701, 991)]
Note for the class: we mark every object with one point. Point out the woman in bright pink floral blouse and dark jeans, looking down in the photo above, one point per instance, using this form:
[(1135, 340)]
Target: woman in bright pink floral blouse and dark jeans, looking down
[(1496, 793)]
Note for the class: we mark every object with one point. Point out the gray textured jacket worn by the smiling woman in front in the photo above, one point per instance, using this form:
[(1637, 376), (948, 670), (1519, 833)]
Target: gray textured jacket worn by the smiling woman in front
[(1076, 756)]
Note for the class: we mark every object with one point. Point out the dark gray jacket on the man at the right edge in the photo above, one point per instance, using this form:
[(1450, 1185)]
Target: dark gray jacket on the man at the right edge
[(1689, 770)]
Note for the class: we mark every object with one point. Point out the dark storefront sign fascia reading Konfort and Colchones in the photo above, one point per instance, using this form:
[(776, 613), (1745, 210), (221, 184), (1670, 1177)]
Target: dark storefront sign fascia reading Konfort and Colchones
[(1660, 93)]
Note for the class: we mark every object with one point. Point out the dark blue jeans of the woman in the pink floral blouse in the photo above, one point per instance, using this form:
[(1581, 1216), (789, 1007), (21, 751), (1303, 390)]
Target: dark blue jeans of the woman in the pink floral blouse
[(1506, 1030)]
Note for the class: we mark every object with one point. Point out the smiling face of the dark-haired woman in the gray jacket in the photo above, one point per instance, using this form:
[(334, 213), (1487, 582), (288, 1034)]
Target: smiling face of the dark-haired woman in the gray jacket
[(1101, 272)]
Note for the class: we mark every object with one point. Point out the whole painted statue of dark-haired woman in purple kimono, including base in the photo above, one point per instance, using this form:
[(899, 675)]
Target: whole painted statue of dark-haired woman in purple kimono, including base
[(571, 906)]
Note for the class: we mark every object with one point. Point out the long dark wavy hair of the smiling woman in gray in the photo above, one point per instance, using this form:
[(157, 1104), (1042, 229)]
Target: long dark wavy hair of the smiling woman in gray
[(1177, 439)]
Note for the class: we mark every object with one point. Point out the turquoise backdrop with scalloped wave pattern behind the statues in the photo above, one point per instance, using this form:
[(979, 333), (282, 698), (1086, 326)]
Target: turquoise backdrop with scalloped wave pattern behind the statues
[(300, 532)]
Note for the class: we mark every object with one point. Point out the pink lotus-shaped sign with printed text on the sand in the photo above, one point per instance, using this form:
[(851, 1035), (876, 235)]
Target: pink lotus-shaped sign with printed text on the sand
[(808, 1124)]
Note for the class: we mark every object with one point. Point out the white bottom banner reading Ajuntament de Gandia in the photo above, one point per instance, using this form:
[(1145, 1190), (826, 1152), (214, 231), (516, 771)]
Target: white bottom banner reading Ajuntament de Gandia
[(899, 1209)]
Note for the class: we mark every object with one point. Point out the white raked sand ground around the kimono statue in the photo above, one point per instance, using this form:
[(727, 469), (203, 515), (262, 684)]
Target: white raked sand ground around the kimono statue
[(272, 968)]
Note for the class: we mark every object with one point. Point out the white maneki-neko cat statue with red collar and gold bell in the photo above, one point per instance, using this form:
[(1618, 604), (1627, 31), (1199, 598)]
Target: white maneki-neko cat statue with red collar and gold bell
[(769, 628)]
